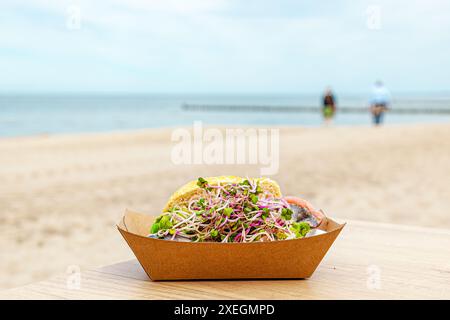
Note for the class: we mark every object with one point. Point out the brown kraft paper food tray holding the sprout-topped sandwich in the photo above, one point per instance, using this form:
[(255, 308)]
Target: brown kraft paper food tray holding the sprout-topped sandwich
[(175, 260)]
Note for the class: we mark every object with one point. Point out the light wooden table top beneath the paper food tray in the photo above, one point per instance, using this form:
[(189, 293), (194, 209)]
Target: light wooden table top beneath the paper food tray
[(367, 261)]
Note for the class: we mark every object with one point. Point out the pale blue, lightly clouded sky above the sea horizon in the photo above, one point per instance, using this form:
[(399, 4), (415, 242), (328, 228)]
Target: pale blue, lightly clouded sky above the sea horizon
[(223, 46)]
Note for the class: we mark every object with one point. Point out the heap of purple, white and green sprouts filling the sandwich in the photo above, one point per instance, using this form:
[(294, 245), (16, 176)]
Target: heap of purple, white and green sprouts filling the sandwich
[(230, 212)]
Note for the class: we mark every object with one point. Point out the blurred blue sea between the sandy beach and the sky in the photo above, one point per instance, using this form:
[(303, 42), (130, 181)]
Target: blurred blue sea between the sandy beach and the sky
[(26, 115)]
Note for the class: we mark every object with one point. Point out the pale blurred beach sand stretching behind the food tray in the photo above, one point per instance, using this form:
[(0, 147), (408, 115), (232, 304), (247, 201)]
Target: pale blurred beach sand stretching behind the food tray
[(60, 196)]
